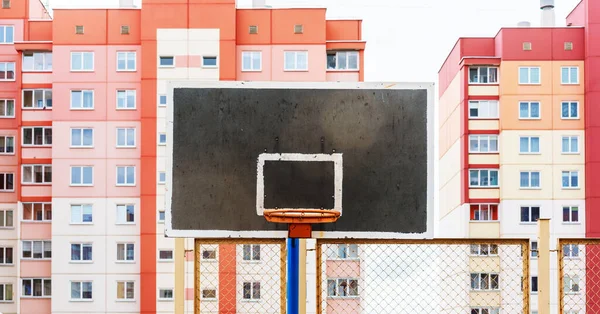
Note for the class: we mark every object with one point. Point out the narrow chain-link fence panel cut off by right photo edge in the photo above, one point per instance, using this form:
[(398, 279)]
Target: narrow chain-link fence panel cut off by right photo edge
[(579, 275)]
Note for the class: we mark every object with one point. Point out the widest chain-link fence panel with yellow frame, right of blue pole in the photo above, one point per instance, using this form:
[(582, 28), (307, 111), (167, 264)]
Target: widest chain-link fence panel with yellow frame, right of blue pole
[(438, 276)]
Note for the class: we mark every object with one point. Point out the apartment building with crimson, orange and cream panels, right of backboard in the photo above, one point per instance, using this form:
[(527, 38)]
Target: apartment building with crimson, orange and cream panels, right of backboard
[(517, 140)]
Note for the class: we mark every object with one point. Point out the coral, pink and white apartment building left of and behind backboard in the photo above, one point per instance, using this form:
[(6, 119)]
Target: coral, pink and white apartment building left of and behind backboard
[(82, 133)]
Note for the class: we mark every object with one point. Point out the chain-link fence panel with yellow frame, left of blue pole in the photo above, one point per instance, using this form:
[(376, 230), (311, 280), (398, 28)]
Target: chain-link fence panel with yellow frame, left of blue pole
[(240, 276)]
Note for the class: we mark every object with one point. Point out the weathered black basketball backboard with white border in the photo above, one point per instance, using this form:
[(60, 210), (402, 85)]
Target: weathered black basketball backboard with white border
[(235, 149)]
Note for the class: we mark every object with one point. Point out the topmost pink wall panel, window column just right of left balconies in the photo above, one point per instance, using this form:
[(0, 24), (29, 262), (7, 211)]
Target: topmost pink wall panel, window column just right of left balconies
[(62, 65)]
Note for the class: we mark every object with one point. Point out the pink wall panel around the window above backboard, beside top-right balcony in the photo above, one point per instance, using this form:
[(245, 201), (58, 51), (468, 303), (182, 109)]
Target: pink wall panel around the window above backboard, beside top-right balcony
[(316, 64)]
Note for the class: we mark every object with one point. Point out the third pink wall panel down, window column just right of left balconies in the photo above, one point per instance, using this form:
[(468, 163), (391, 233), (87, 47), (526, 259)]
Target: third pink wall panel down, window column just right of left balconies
[(62, 149)]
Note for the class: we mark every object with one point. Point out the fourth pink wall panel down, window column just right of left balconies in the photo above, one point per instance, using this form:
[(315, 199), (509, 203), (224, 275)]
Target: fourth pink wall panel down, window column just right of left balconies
[(61, 184)]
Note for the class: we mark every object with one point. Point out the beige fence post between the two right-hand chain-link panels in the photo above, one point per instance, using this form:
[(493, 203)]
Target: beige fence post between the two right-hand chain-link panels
[(544, 266)]
